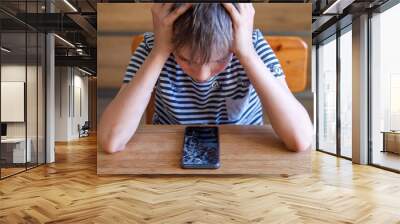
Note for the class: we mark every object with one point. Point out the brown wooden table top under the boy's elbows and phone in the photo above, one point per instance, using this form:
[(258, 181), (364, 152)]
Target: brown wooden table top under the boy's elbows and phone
[(156, 149)]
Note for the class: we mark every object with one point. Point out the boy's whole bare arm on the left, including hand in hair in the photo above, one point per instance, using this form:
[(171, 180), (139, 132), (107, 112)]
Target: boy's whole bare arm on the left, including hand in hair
[(122, 116)]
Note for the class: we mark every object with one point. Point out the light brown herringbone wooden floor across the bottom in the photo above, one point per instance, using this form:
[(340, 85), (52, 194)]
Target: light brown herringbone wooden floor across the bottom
[(69, 191)]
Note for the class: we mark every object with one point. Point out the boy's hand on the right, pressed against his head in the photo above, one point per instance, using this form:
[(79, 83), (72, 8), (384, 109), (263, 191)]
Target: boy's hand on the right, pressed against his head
[(242, 22)]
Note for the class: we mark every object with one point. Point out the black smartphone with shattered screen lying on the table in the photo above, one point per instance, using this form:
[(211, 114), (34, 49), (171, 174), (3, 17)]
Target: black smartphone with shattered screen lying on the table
[(200, 148)]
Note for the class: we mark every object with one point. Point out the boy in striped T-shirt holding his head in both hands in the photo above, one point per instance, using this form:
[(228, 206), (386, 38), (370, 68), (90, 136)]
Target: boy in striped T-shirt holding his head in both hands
[(206, 66)]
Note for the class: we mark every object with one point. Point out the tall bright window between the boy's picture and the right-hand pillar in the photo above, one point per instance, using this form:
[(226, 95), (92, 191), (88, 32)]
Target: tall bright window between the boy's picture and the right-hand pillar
[(328, 96)]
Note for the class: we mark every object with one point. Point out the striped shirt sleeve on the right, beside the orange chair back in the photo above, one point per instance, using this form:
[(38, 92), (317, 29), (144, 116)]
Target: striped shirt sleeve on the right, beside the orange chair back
[(267, 55)]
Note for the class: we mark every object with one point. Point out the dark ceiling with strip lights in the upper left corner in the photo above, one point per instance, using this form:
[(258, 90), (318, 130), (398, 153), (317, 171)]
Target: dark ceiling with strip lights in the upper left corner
[(72, 20)]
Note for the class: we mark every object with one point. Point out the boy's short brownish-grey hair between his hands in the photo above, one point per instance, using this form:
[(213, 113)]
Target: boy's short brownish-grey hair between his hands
[(205, 28)]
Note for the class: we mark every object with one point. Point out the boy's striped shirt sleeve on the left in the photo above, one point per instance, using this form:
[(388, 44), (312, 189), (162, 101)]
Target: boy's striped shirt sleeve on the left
[(138, 57)]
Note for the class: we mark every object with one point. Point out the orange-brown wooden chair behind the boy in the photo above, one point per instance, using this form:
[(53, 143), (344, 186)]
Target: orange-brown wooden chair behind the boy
[(292, 53)]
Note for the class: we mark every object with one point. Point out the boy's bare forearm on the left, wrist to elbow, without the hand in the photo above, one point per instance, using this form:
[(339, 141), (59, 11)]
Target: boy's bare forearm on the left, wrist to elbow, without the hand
[(122, 116)]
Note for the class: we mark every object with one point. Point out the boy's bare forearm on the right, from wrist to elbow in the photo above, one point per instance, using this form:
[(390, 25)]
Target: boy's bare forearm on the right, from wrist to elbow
[(287, 116)]
